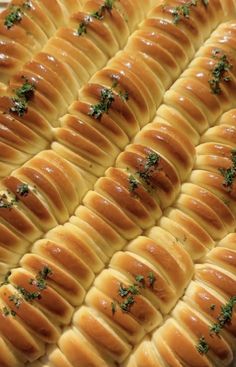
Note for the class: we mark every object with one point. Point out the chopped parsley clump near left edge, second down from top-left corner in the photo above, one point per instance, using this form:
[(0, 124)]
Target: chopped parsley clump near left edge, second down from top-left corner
[(23, 95)]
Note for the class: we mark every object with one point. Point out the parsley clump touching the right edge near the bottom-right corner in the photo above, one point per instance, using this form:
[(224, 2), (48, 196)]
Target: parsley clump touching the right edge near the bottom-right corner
[(224, 317)]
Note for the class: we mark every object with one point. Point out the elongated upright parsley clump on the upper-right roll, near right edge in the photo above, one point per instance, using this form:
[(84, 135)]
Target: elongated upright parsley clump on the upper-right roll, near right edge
[(219, 71)]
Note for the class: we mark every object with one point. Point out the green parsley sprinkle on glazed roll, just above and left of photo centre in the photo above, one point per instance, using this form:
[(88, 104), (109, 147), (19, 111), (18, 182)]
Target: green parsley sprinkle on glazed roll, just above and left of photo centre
[(107, 97)]
